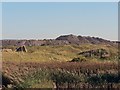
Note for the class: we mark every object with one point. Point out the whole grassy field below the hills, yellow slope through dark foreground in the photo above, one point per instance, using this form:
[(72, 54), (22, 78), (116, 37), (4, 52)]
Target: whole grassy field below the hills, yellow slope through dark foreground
[(51, 67)]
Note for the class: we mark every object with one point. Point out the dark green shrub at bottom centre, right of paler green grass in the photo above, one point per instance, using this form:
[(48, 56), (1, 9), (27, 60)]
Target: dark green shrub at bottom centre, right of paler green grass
[(66, 78)]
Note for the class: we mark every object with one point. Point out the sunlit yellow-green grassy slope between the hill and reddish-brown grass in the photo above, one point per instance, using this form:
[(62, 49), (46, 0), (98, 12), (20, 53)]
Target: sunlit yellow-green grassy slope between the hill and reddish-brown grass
[(52, 53)]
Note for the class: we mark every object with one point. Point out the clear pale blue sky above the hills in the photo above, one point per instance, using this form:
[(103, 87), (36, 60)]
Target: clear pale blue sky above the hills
[(45, 20)]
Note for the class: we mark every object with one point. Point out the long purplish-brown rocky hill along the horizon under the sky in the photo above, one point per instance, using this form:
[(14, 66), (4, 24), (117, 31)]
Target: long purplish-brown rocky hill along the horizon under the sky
[(61, 40)]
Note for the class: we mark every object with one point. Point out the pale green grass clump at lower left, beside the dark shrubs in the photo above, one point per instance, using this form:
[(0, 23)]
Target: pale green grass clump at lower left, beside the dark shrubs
[(37, 79)]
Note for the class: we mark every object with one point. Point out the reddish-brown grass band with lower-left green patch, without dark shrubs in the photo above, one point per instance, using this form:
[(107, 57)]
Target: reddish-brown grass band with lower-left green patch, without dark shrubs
[(30, 74)]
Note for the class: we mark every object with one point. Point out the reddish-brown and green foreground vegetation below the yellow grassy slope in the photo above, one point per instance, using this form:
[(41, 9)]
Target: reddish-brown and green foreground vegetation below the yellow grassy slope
[(62, 74)]
